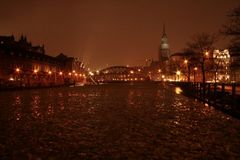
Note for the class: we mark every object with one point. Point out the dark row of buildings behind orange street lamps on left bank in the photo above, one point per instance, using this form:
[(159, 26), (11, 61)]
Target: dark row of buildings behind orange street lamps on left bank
[(25, 65)]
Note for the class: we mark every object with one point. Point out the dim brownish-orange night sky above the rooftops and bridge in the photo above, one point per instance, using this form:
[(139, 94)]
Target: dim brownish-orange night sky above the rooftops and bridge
[(113, 32)]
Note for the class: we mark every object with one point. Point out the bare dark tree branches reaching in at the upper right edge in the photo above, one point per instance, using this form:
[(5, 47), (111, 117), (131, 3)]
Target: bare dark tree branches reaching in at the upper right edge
[(232, 29)]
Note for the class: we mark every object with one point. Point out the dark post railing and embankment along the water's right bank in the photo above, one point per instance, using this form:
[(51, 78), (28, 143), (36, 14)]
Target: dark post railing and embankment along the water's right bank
[(225, 96)]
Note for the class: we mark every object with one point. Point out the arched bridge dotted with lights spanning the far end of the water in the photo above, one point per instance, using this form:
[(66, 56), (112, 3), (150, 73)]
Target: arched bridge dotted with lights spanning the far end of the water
[(121, 74)]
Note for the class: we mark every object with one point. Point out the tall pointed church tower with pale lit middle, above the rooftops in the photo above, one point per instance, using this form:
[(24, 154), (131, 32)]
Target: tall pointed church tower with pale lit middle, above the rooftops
[(164, 52)]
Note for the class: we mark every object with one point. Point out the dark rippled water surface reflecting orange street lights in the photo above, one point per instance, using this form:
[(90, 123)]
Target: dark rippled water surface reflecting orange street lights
[(114, 121)]
